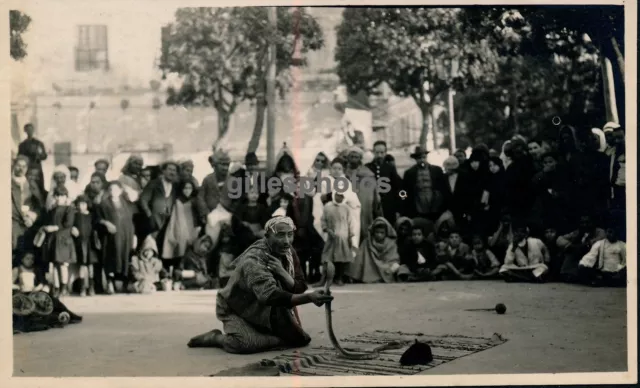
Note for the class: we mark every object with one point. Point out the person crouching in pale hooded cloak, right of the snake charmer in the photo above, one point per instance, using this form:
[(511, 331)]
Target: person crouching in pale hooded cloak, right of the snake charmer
[(377, 260)]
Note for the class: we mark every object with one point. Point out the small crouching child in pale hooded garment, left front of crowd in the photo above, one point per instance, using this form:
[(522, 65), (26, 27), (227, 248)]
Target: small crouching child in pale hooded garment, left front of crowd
[(146, 269)]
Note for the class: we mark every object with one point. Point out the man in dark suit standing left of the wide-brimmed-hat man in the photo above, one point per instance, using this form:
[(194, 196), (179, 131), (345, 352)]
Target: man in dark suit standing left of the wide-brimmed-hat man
[(383, 169)]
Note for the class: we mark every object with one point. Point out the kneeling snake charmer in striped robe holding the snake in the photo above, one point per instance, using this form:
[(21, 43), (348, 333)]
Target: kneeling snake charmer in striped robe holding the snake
[(257, 307)]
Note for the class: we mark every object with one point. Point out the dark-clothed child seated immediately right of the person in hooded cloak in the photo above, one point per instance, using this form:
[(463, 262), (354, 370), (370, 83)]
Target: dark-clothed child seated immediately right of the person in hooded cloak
[(417, 257)]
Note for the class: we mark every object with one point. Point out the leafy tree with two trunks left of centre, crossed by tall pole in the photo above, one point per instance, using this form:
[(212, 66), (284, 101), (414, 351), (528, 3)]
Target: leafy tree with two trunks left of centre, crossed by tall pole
[(221, 55)]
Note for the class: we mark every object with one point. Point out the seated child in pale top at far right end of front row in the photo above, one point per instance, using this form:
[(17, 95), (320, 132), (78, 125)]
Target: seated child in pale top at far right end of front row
[(606, 262)]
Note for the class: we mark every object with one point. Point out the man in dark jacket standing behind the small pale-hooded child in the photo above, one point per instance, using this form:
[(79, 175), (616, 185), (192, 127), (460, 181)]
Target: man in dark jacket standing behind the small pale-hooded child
[(157, 199)]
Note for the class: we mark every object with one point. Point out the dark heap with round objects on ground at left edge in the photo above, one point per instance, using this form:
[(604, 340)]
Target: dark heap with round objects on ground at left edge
[(38, 311)]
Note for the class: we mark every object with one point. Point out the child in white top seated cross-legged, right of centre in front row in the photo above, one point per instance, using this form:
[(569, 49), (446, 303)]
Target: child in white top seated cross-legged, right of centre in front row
[(526, 259)]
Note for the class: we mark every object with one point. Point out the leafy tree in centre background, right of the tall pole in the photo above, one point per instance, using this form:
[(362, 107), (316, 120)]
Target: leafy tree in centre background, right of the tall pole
[(418, 52)]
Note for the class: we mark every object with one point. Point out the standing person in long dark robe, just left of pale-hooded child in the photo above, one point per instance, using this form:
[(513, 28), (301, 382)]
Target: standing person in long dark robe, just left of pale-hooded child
[(115, 218)]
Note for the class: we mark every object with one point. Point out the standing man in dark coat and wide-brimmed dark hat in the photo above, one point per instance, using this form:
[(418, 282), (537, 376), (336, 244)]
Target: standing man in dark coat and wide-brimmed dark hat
[(423, 184)]
